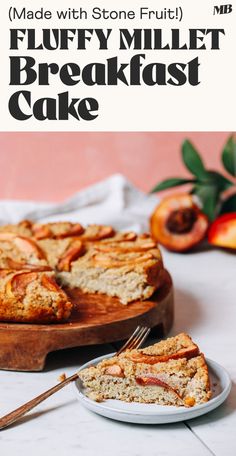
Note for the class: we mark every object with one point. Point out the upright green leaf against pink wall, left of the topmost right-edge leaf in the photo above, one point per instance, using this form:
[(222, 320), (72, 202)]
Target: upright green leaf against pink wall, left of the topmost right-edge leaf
[(193, 161)]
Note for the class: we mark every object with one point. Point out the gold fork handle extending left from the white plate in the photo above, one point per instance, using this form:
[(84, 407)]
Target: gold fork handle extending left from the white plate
[(11, 417)]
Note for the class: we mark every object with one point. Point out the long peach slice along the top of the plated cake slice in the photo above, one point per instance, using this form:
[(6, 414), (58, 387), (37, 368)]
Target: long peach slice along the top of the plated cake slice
[(153, 359)]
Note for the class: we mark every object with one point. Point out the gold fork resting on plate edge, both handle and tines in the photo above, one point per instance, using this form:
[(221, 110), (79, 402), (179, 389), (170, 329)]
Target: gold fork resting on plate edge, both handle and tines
[(135, 341)]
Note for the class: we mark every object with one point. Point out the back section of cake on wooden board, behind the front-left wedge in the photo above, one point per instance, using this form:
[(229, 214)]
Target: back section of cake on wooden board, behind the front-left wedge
[(96, 259)]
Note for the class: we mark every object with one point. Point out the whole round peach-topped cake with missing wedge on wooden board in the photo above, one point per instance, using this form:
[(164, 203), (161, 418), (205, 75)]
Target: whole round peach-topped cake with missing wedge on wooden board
[(37, 260)]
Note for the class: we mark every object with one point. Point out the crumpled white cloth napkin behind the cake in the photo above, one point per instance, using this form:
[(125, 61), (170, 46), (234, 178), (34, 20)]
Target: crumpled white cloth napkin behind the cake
[(114, 201)]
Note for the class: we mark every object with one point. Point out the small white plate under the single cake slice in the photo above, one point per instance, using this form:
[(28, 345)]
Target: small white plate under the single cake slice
[(157, 414)]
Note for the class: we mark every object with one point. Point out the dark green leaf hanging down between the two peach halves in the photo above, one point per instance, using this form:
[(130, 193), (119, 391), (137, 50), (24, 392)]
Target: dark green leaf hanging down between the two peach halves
[(209, 197)]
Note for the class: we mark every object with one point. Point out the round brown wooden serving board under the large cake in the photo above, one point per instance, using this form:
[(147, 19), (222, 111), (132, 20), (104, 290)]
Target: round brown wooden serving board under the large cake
[(96, 319)]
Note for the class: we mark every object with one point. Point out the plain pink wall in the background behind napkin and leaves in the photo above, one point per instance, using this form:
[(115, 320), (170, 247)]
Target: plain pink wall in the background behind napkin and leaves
[(51, 166)]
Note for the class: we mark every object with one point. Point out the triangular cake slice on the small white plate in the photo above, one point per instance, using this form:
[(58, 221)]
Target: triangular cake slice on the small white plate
[(178, 377)]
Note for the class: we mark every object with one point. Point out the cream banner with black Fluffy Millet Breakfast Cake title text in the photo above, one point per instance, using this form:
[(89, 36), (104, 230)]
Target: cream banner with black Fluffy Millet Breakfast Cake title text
[(178, 70)]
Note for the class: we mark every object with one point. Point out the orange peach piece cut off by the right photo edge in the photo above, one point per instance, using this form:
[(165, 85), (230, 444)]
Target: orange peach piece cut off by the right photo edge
[(222, 232)]
